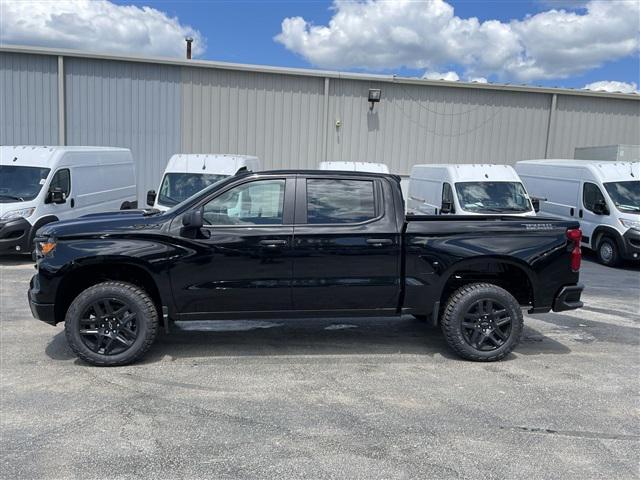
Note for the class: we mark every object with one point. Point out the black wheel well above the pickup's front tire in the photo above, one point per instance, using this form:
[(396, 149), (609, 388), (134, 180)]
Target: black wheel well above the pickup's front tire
[(85, 277)]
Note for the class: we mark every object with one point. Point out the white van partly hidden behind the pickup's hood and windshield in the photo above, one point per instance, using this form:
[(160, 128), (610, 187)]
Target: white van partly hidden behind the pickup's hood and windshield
[(187, 174)]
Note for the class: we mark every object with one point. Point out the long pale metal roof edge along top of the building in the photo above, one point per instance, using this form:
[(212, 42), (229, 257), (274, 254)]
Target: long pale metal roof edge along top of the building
[(311, 72)]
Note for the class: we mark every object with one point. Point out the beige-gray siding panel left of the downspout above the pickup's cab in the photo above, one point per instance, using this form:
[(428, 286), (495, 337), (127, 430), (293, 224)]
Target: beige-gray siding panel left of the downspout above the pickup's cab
[(276, 117)]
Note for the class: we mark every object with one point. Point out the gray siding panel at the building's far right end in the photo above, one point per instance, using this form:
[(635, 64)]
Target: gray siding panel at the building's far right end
[(588, 121)]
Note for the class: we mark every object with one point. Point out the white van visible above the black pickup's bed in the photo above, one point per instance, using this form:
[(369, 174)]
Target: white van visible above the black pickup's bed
[(475, 189)]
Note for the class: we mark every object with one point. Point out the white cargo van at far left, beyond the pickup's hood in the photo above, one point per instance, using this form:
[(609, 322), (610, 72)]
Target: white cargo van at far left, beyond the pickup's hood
[(39, 185)]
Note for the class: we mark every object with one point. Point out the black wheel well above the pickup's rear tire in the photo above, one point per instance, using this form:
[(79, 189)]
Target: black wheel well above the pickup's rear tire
[(505, 275)]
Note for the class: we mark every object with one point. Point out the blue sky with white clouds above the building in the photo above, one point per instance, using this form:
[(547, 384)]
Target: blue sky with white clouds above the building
[(568, 43)]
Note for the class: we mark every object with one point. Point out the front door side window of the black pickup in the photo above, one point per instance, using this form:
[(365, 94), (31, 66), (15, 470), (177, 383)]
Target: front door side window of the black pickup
[(254, 203)]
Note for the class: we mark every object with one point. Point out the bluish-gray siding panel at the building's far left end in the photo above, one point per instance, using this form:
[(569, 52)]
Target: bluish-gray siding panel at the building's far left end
[(28, 99)]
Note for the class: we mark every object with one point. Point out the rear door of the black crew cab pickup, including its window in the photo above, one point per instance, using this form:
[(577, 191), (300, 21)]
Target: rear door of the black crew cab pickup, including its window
[(346, 245)]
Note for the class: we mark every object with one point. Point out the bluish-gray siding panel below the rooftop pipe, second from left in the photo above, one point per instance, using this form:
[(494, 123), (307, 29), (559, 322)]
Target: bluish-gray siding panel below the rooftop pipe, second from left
[(123, 104)]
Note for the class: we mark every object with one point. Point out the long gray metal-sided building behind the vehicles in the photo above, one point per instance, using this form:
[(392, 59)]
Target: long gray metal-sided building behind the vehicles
[(292, 118)]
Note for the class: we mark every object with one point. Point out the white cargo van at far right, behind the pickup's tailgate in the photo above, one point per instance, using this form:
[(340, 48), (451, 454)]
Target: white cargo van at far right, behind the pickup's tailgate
[(603, 196)]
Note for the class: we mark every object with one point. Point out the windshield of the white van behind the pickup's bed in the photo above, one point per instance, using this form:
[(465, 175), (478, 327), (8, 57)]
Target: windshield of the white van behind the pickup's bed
[(492, 197)]
